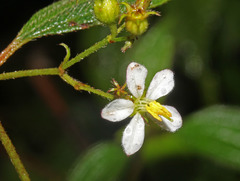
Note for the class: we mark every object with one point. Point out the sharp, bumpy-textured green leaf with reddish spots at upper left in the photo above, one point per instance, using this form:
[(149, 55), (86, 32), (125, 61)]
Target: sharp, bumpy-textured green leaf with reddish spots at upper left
[(60, 17)]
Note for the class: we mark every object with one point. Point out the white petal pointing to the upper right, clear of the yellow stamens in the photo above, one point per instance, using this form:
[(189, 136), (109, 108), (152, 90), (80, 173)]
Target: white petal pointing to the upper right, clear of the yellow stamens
[(161, 84)]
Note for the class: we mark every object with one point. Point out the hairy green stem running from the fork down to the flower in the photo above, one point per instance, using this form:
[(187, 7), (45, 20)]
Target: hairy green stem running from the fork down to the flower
[(81, 86)]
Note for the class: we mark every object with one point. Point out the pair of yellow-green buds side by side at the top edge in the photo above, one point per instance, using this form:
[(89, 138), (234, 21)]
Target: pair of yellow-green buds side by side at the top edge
[(108, 11)]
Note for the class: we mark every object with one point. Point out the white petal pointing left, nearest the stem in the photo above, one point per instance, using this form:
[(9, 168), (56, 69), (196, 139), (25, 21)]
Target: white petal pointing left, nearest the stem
[(117, 110)]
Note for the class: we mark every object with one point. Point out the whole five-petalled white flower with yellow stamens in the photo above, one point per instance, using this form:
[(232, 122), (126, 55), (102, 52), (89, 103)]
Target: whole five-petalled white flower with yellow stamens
[(166, 116)]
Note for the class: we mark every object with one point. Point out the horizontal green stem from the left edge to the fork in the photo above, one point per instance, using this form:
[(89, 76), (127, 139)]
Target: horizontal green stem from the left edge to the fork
[(29, 73)]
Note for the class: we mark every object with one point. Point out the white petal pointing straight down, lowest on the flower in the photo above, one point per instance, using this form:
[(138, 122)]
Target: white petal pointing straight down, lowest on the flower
[(133, 135)]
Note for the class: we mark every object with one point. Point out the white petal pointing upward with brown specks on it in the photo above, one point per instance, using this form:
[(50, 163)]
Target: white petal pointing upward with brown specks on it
[(136, 75)]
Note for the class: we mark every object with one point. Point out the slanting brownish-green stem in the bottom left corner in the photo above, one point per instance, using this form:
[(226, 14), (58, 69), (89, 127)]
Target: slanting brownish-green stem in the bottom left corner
[(23, 175)]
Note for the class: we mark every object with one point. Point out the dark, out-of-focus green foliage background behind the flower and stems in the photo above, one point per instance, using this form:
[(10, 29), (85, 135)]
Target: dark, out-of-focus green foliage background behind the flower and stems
[(54, 133)]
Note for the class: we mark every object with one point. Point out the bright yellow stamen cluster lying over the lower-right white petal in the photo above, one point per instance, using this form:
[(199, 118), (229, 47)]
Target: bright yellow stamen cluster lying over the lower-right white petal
[(157, 110)]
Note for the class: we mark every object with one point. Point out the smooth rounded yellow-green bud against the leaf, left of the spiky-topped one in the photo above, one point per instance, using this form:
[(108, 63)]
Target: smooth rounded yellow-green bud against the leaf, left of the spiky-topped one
[(106, 11)]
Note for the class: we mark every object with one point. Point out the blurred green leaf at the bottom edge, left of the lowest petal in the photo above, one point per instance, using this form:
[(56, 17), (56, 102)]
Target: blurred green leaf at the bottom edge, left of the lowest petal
[(103, 162)]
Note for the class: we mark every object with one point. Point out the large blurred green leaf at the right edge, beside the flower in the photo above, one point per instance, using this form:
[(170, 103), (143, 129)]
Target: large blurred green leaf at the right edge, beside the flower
[(215, 132)]
